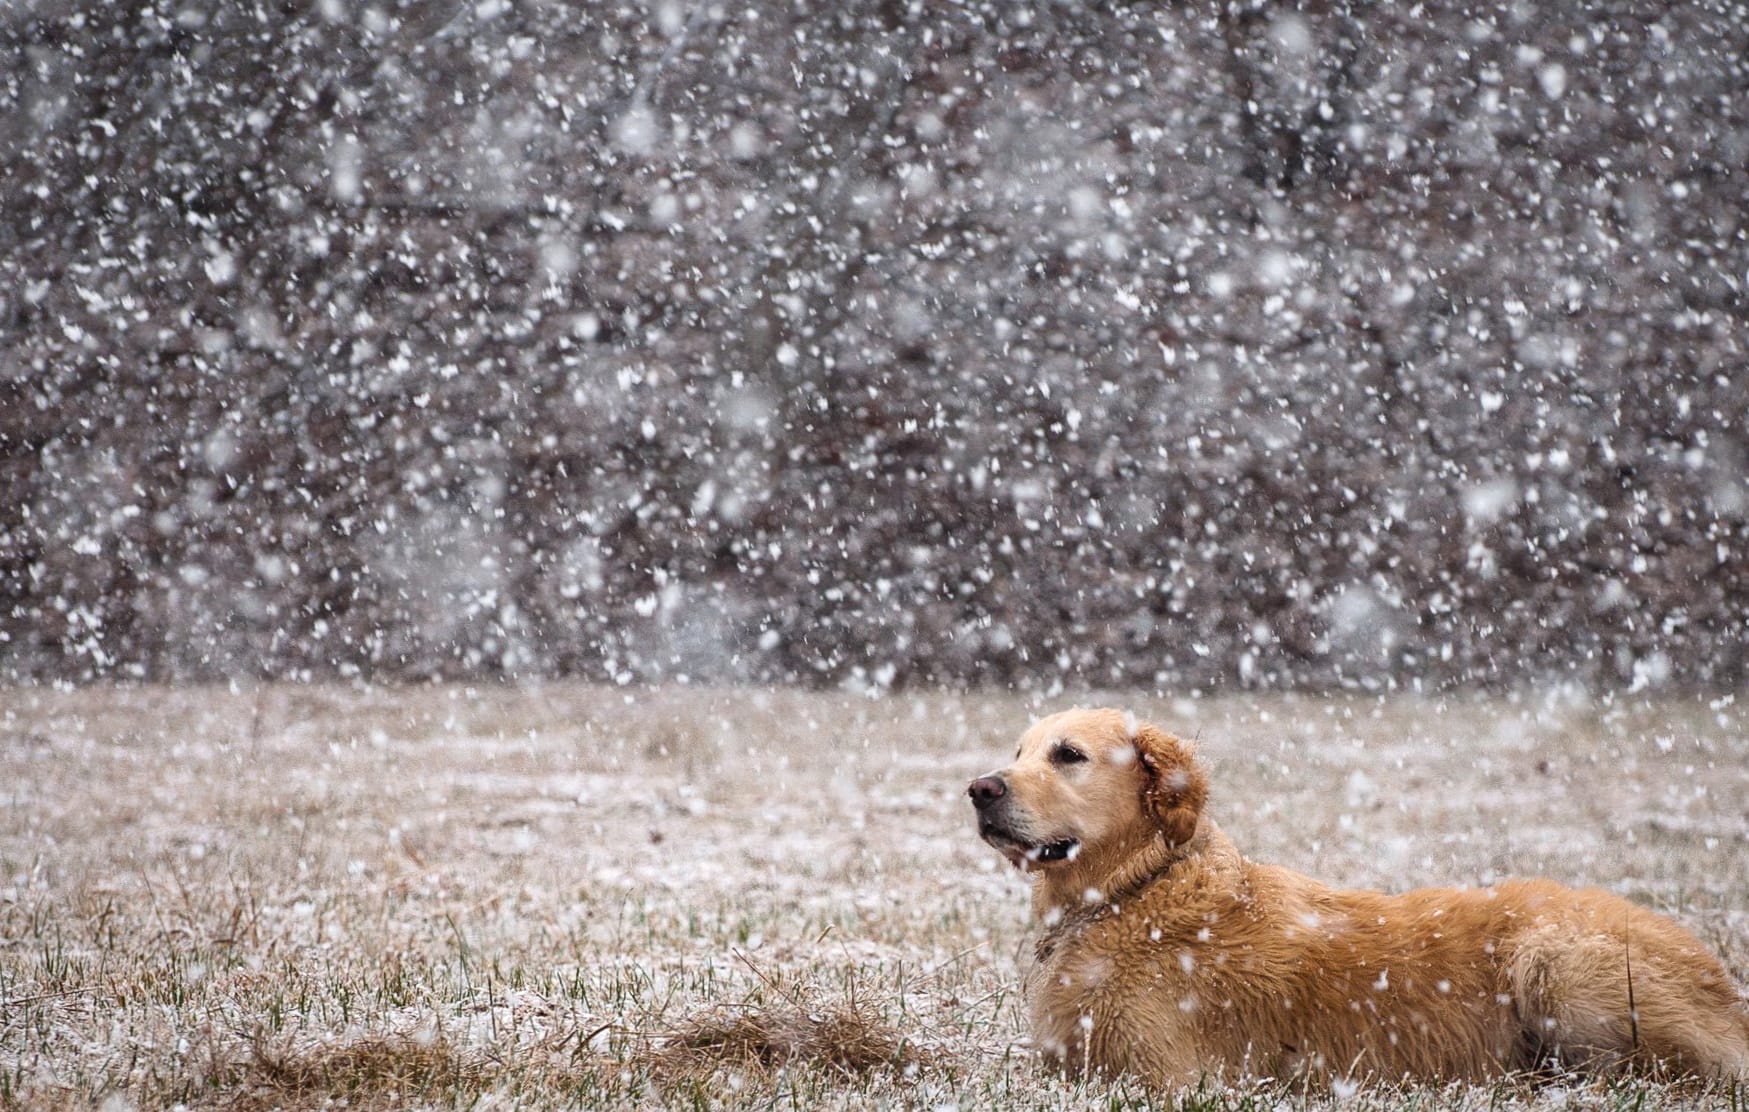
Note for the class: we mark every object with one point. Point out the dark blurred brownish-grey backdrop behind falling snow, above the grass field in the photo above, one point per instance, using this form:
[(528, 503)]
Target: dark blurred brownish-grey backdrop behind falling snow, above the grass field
[(875, 344)]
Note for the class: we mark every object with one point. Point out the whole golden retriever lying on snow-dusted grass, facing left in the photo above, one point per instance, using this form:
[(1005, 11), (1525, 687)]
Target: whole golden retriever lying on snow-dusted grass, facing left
[(1169, 956)]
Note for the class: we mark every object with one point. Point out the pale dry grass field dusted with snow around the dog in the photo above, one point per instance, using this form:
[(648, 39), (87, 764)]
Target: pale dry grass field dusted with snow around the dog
[(517, 898)]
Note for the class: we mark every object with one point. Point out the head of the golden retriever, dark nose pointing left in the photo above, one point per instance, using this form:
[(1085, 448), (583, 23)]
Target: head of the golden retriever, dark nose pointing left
[(1087, 791)]
